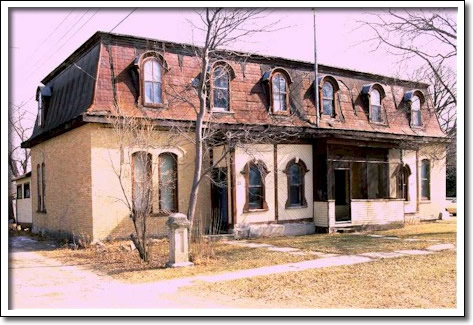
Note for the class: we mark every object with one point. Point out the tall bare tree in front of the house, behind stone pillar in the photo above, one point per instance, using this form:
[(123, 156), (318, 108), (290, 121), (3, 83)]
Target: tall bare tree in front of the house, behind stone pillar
[(222, 28)]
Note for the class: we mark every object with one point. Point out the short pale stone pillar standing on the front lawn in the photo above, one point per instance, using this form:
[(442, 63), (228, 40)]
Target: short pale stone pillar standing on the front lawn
[(178, 240)]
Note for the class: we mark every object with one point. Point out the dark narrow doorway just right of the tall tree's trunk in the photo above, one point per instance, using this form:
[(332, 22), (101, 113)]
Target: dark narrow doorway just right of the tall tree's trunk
[(219, 220)]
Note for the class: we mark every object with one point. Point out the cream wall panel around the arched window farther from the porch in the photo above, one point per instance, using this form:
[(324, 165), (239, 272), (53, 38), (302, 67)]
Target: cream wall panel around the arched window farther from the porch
[(265, 153)]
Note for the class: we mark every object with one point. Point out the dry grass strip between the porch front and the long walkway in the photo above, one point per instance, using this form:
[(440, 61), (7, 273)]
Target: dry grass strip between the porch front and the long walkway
[(358, 243)]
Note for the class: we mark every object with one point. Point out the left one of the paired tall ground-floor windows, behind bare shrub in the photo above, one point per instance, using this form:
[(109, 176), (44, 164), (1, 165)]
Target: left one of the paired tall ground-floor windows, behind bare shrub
[(142, 183)]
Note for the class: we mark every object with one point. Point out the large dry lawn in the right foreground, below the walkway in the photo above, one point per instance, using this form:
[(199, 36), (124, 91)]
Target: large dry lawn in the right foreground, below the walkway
[(427, 281)]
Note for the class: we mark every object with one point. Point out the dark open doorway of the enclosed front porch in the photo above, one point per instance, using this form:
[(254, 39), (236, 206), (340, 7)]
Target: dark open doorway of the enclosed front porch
[(342, 195)]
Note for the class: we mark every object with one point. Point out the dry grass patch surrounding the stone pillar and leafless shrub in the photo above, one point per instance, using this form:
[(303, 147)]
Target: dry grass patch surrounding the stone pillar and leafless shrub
[(127, 266)]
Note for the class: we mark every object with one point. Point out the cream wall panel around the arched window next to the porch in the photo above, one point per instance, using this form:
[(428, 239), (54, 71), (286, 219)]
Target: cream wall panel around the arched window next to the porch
[(286, 153)]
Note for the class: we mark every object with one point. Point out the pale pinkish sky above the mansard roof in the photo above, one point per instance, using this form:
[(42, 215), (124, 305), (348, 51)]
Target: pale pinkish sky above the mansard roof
[(41, 38)]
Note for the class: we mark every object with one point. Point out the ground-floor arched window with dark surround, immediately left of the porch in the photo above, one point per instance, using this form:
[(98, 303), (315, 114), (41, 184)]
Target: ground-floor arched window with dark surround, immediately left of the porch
[(295, 171)]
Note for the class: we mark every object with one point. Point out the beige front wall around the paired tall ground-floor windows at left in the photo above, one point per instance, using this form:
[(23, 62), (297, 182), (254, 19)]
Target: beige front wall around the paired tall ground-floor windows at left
[(111, 215)]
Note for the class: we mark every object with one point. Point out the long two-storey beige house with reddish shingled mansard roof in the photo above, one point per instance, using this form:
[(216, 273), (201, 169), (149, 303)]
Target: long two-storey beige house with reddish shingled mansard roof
[(372, 155)]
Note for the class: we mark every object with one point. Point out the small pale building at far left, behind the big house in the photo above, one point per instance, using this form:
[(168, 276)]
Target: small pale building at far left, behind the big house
[(23, 210)]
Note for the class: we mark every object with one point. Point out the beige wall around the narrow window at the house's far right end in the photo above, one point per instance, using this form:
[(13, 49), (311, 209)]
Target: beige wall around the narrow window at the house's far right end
[(437, 203)]
